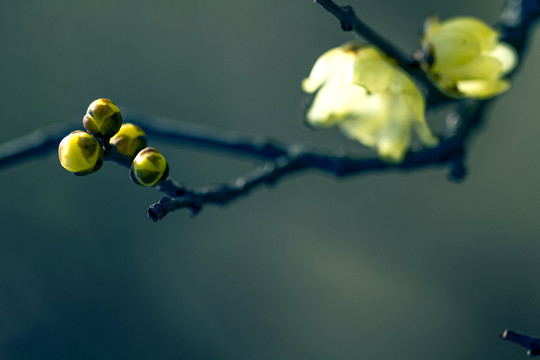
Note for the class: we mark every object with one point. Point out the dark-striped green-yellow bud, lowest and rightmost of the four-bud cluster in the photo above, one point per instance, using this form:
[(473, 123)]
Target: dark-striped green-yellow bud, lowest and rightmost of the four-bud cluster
[(149, 168)]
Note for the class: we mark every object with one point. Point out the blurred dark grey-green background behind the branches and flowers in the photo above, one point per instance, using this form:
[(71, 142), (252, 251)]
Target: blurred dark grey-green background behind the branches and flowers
[(379, 266)]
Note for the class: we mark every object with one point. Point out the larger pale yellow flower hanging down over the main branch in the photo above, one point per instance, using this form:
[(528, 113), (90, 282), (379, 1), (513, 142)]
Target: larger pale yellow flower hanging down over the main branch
[(371, 100)]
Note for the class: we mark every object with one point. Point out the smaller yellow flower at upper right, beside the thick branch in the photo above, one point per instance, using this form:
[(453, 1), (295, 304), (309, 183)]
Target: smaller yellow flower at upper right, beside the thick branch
[(467, 58)]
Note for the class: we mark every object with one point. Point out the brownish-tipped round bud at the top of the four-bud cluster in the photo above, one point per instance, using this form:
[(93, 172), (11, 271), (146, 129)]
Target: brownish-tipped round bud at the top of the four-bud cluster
[(103, 118)]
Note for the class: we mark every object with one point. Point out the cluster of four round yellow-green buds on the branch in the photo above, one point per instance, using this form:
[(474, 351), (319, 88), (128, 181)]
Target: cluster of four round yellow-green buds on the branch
[(83, 152)]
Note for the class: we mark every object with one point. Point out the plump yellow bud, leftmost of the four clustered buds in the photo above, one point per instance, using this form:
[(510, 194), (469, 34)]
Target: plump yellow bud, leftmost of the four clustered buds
[(80, 153)]
